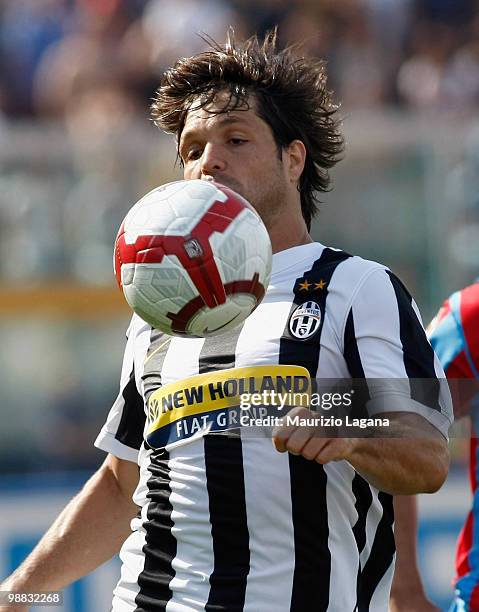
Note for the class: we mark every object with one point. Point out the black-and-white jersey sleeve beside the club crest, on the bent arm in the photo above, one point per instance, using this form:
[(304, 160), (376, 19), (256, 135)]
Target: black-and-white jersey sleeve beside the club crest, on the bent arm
[(385, 345)]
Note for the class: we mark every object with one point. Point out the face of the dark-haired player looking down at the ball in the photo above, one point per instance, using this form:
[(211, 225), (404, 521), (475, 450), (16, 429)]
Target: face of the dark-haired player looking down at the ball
[(235, 148)]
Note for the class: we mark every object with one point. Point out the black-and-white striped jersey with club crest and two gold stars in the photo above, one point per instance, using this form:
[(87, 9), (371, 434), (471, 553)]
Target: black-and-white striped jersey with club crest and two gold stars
[(226, 523)]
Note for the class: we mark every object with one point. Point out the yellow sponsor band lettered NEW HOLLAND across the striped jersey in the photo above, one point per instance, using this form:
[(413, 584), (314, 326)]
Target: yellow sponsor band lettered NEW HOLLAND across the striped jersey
[(223, 389)]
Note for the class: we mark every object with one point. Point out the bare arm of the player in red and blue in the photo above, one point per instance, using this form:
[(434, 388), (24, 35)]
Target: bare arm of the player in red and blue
[(407, 592)]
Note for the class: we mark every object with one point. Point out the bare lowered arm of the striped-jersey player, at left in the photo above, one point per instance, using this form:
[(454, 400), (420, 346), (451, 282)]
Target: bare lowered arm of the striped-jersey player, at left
[(88, 532)]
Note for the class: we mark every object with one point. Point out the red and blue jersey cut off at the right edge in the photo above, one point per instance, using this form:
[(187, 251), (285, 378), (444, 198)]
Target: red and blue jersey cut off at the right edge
[(455, 337)]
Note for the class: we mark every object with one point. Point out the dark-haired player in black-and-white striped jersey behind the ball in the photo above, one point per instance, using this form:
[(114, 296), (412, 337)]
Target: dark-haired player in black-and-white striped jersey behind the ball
[(233, 522)]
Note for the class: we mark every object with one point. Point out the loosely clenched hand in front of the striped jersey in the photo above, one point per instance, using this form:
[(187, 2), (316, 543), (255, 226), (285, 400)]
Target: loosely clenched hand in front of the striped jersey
[(310, 441)]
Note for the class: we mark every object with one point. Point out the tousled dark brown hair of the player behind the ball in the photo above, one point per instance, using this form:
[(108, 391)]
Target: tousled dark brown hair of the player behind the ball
[(290, 92)]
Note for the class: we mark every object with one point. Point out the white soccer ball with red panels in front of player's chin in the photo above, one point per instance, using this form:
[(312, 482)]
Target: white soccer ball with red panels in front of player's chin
[(193, 258)]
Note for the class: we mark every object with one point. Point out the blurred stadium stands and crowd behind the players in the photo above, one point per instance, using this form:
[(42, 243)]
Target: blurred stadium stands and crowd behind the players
[(77, 150)]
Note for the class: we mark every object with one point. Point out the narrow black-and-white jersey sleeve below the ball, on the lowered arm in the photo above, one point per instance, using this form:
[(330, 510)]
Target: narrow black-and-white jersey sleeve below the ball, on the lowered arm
[(122, 433)]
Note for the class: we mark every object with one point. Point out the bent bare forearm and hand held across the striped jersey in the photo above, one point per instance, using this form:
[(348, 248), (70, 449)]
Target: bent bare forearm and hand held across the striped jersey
[(403, 465)]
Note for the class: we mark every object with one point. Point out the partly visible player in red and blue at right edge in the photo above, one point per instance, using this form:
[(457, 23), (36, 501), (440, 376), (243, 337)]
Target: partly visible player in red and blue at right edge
[(454, 335)]
